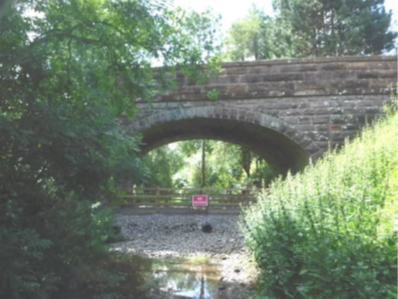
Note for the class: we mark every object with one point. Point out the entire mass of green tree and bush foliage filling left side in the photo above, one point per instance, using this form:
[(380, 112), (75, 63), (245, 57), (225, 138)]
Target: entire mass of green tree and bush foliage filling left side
[(68, 71)]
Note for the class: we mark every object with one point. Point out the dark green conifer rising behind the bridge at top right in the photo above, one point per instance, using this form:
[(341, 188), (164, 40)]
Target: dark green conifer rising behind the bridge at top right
[(333, 27)]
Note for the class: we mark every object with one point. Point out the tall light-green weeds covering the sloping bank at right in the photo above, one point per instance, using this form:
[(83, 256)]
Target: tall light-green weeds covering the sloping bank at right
[(328, 232)]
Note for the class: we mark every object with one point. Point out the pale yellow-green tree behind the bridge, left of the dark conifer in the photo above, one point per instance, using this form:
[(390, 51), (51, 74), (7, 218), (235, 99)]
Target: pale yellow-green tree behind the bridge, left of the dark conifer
[(248, 38)]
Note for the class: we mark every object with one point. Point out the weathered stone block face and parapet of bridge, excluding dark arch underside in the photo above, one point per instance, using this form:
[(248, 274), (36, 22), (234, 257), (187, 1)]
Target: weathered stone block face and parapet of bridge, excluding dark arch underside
[(315, 102)]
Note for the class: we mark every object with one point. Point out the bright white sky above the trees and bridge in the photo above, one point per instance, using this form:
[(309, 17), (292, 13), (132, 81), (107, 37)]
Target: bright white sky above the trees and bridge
[(231, 12)]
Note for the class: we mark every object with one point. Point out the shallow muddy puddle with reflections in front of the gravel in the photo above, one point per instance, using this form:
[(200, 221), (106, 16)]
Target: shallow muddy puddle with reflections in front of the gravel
[(182, 278)]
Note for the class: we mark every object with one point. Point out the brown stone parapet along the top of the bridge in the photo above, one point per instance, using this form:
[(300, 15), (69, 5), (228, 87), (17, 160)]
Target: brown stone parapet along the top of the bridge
[(294, 78)]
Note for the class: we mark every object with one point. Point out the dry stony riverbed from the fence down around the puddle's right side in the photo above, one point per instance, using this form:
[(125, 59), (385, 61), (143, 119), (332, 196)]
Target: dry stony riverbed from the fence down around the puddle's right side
[(160, 236)]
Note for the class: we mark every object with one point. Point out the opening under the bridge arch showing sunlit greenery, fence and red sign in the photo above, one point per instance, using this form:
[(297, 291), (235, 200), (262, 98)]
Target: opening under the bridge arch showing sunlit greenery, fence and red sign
[(197, 176)]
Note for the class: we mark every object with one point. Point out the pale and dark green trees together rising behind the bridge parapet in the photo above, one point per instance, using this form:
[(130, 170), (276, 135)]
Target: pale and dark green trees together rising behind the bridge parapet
[(313, 28)]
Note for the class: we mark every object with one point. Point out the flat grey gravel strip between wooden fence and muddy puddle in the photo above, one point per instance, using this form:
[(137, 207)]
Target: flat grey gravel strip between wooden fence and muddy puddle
[(161, 235)]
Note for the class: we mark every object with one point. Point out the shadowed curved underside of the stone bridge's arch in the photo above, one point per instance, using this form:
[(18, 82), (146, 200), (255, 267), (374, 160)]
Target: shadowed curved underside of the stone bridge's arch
[(280, 151)]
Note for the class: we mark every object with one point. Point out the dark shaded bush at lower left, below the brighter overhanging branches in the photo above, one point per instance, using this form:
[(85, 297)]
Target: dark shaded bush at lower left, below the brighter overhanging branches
[(53, 170)]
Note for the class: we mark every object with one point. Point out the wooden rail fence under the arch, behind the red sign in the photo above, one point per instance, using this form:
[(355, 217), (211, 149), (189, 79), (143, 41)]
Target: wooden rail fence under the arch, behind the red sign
[(167, 197)]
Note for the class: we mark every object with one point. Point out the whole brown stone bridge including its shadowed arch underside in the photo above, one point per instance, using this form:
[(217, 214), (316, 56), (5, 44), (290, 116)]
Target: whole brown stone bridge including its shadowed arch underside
[(285, 110)]
